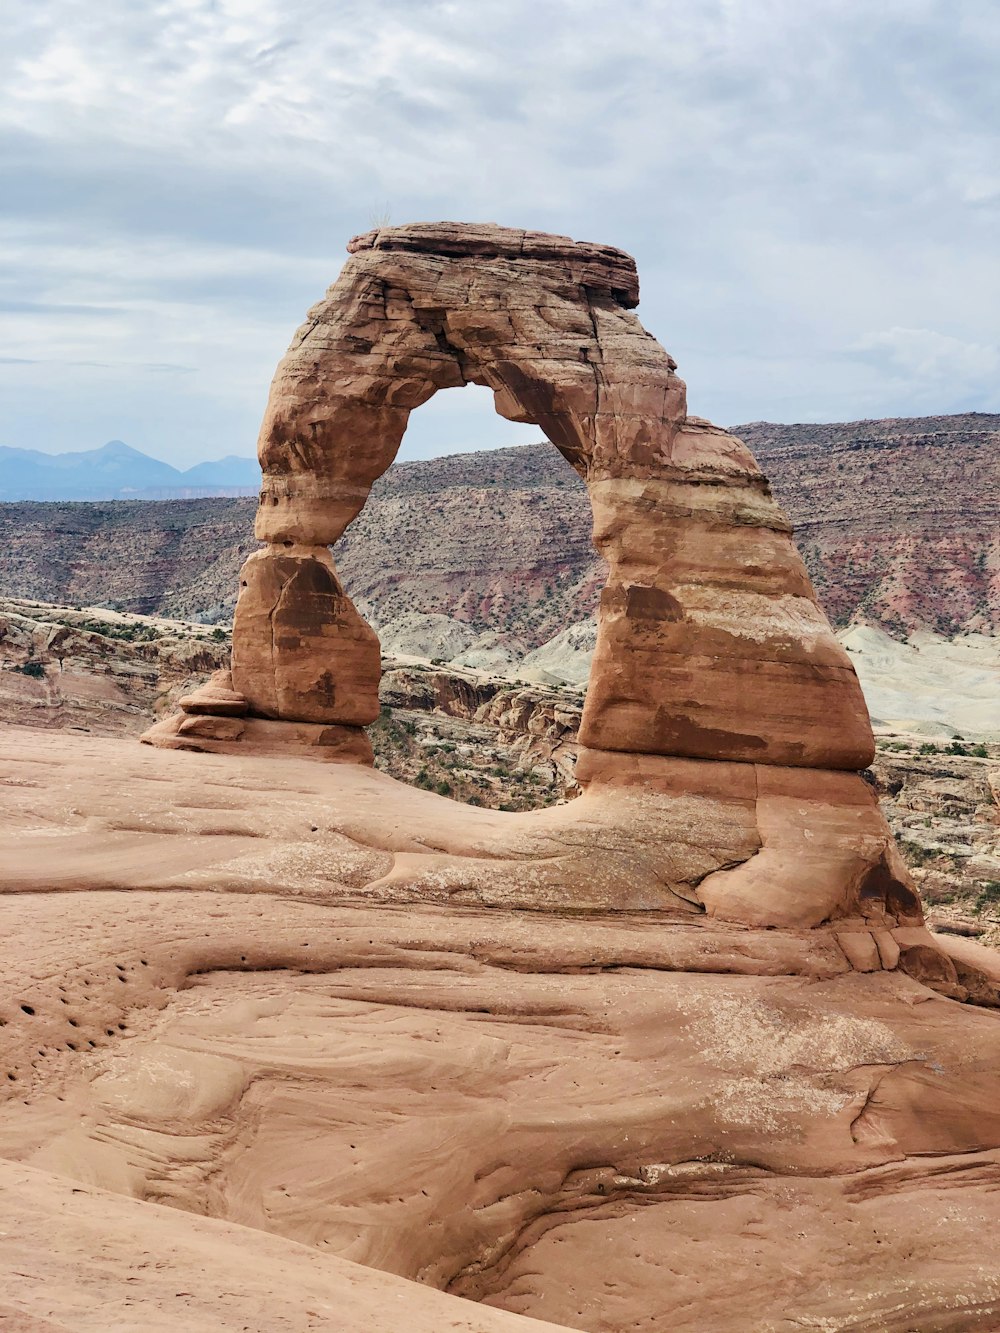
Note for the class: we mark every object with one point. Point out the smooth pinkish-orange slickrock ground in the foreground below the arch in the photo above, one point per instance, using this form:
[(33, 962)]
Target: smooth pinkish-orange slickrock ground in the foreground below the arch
[(222, 996)]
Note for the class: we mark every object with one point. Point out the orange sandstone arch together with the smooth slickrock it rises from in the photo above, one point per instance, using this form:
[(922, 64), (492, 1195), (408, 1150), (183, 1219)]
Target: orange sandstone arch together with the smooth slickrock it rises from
[(678, 1054)]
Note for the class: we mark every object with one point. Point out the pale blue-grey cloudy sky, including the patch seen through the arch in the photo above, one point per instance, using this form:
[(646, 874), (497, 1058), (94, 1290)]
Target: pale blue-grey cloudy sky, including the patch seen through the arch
[(811, 190)]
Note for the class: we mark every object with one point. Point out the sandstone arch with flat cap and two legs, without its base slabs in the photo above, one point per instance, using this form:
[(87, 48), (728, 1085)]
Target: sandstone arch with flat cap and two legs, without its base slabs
[(711, 645)]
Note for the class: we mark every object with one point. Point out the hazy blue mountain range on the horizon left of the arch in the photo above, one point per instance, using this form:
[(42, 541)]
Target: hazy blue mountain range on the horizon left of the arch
[(119, 473)]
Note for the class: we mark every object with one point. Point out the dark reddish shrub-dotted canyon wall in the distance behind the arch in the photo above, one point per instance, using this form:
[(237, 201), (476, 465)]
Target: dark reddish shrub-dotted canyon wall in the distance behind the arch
[(899, 525)]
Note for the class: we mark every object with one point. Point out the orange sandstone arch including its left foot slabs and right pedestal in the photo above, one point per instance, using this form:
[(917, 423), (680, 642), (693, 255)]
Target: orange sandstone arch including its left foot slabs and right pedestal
[(718, 692)]
